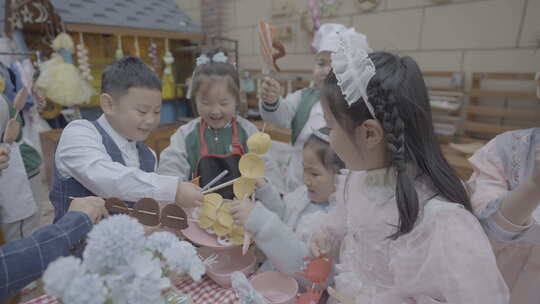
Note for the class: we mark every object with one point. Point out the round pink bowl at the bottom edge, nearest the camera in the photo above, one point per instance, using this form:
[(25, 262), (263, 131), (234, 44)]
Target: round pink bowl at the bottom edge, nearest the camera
[(276, 287)]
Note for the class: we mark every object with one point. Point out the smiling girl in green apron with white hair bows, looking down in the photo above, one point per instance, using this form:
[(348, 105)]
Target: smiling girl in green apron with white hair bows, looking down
[(216, 140)]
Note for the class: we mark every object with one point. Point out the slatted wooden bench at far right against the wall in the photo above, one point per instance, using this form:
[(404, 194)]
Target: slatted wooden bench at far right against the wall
[(491, 111)]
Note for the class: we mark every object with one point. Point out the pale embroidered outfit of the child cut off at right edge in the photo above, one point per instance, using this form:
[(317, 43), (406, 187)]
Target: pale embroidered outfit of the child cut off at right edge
[(499, 167)]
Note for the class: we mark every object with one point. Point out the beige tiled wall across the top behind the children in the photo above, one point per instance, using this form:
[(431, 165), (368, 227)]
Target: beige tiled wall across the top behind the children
[(464, 35)]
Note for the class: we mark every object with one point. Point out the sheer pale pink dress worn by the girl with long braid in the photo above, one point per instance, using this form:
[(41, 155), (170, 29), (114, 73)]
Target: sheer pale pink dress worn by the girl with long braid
[(446, 258)]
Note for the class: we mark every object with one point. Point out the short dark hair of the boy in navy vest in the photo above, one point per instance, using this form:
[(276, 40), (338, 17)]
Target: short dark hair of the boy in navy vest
[(128, 72)]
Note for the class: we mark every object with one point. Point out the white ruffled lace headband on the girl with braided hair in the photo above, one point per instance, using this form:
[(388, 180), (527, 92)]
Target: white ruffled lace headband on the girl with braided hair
[(353, 68)]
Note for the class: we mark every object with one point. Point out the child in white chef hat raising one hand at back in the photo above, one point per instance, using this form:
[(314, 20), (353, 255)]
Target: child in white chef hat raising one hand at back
[(301, 111)]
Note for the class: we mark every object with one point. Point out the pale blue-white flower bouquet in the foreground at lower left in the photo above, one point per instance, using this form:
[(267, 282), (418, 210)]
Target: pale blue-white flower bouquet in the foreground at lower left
[(120, 265)]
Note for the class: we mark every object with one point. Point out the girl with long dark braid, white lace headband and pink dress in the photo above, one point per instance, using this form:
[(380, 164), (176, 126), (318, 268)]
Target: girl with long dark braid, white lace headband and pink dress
[(402, 228)]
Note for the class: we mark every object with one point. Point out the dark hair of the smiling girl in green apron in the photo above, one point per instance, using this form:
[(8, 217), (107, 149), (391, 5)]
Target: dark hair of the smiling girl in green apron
[(204, 72)]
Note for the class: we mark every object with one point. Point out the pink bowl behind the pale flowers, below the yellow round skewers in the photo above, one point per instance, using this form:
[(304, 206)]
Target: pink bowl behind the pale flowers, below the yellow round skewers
[(228, 261)]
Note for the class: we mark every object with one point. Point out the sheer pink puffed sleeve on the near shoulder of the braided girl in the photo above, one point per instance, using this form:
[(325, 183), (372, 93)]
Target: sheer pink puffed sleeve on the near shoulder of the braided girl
[(446, 259)]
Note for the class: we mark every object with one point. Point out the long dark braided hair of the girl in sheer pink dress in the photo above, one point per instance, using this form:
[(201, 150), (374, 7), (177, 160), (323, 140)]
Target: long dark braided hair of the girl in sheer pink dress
[(399, 97)]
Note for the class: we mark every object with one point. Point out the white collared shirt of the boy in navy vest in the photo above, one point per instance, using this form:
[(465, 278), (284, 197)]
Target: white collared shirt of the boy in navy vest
[(81, 154)]
